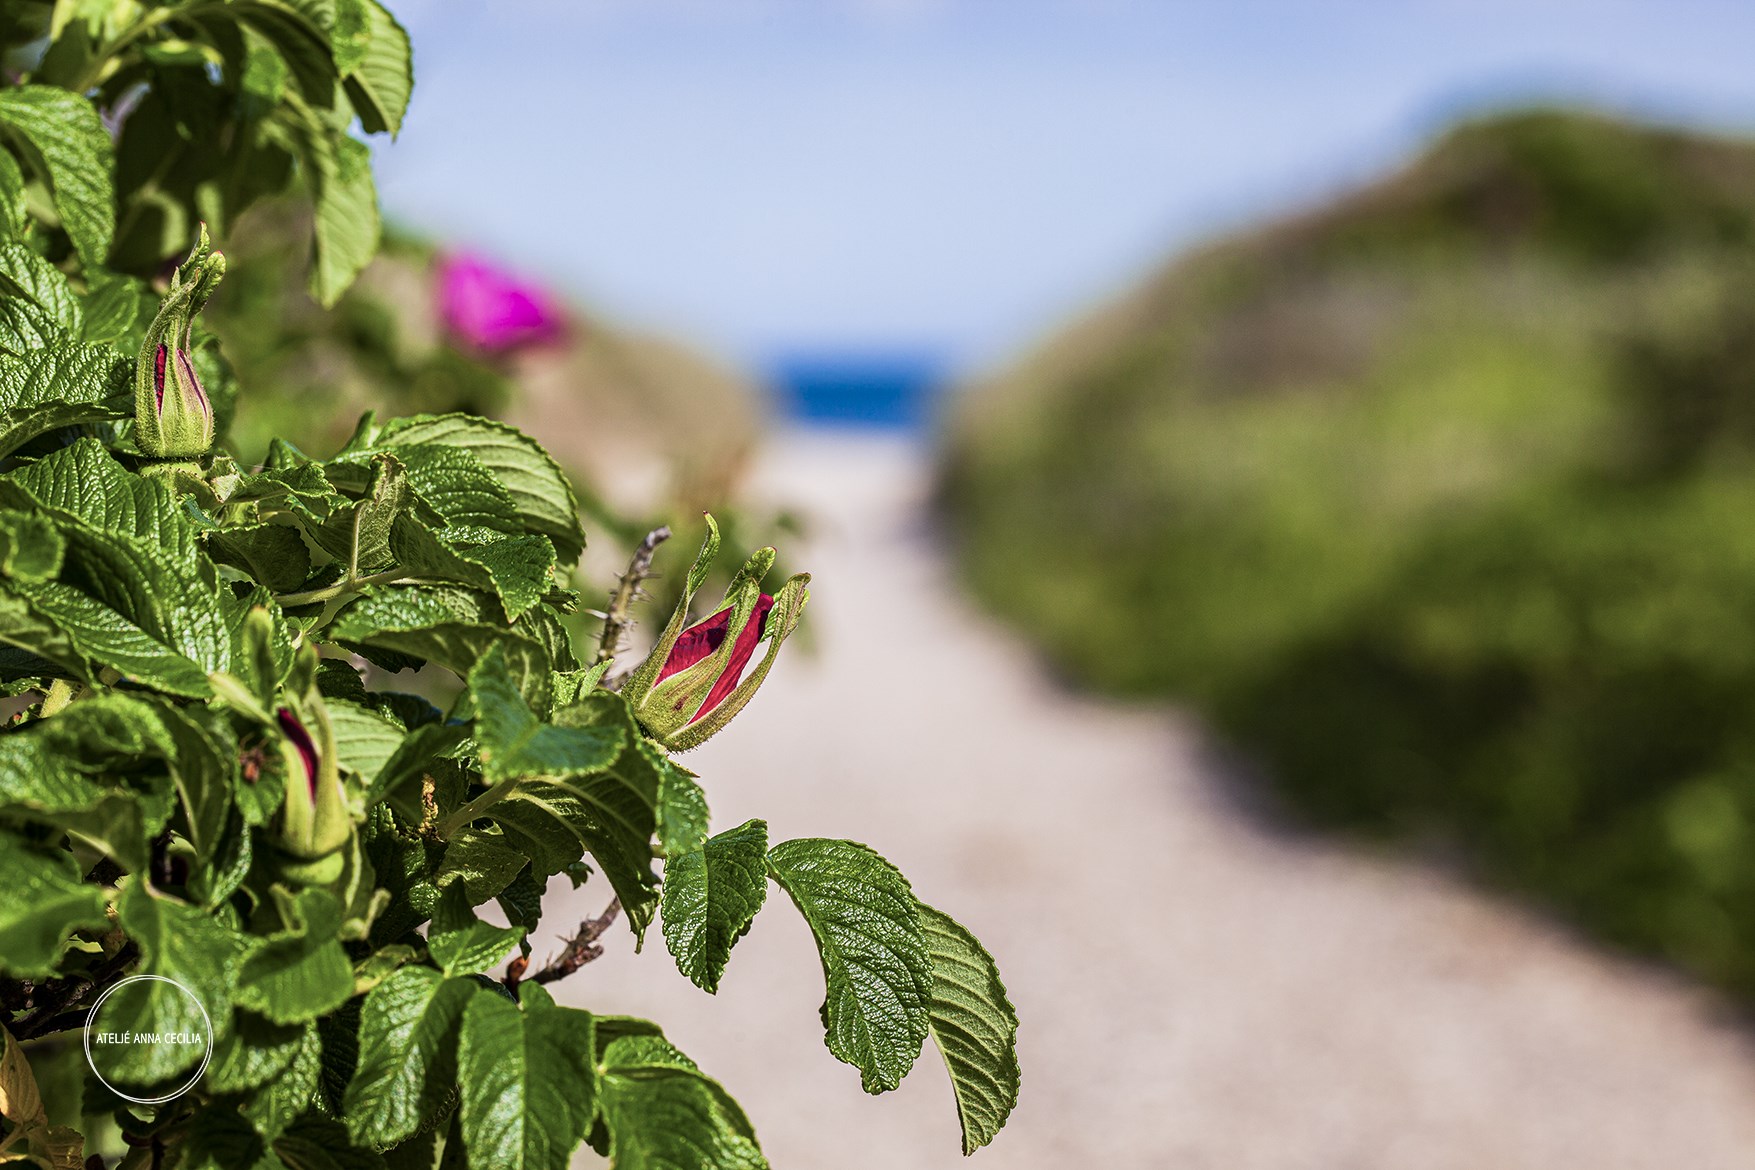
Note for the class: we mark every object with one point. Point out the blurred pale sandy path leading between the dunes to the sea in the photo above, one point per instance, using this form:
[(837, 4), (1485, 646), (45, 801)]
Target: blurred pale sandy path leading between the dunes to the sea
[(1196, 990)]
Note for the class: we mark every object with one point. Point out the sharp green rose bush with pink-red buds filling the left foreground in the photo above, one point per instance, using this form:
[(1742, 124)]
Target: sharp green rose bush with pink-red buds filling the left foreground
[(226, 771)]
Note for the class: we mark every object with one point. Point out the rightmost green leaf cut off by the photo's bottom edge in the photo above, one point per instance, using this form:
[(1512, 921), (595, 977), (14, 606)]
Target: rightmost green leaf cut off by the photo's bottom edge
[(663, 1113)]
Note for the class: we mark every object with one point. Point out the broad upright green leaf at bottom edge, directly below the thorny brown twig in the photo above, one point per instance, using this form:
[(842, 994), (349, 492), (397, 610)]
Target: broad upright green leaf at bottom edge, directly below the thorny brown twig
[(529, 1081)]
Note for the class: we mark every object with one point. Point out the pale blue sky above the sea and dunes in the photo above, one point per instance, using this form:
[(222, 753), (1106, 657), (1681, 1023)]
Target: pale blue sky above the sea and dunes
[(954, 176)]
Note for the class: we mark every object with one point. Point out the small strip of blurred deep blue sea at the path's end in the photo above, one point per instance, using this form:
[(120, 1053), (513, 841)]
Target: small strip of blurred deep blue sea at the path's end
[(870, 392)]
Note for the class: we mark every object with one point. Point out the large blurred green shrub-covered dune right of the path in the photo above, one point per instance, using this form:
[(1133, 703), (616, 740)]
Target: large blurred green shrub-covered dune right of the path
[(1438, 503)]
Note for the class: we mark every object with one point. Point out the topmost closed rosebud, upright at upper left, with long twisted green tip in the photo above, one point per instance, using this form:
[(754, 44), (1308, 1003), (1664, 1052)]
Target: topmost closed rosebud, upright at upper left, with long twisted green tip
[(171, 411)]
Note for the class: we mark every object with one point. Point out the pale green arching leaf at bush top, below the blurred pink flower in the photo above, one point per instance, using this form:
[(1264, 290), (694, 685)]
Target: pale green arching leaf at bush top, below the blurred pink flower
[(538, 489)]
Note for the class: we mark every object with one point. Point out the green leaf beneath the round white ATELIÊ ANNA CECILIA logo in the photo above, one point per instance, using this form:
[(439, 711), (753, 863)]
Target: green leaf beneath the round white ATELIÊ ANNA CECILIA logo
[(189, 946)]
